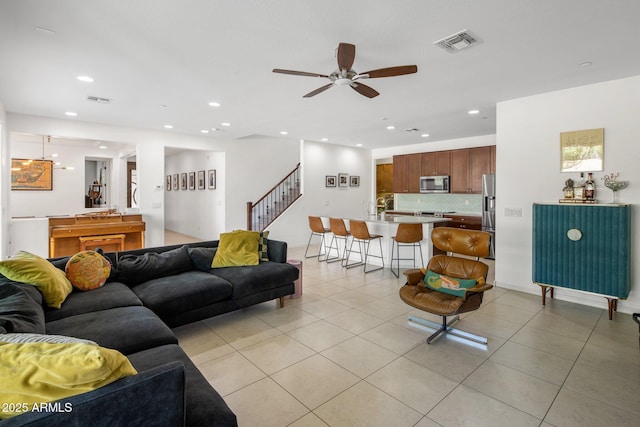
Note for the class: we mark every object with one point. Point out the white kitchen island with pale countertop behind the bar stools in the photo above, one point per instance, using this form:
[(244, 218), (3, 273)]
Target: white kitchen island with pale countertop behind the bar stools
[(386, 225)]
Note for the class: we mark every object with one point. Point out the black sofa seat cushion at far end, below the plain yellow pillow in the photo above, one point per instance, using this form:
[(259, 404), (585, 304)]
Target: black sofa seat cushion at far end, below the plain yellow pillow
[(258, 278)]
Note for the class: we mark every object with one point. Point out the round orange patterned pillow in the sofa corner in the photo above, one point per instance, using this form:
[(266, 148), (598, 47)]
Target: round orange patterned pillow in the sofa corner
[(87, 270)]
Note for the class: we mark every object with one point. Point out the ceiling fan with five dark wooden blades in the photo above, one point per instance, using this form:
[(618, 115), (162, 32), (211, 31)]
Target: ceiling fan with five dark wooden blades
[(346, 76)]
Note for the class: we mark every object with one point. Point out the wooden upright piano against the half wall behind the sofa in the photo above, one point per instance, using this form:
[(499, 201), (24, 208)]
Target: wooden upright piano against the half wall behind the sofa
[(111, 232)]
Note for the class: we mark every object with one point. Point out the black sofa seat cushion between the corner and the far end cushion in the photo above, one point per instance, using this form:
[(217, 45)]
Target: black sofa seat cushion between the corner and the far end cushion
[(170, 295)]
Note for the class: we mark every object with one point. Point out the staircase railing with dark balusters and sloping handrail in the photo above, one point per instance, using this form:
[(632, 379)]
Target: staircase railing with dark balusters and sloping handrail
[(270, 206)]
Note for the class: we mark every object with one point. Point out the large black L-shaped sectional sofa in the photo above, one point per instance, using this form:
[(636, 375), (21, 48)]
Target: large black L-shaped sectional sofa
[(149, 291)]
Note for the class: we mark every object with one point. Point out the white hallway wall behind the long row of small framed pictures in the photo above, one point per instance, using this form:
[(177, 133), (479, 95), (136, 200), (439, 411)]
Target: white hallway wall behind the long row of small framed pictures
[(198, 213)]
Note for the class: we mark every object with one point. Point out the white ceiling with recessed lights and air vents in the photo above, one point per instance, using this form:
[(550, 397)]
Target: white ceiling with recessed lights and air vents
[(183, 54)]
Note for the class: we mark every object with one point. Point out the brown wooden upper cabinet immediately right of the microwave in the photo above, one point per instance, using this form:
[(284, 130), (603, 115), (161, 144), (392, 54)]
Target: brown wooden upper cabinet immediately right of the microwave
[(467, 167)]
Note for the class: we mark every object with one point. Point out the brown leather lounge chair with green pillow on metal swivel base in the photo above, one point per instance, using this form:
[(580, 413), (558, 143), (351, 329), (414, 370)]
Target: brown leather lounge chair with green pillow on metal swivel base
[(456, 284)]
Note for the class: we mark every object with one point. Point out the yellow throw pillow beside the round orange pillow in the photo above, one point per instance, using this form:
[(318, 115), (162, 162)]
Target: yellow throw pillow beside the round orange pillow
[(28, 268)]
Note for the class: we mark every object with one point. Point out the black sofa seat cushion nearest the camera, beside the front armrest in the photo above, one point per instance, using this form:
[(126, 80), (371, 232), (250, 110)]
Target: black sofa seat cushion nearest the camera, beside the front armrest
[(204, 406)]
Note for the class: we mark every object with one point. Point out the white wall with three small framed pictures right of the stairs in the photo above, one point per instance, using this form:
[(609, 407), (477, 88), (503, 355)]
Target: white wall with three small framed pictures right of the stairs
[(319, 160)]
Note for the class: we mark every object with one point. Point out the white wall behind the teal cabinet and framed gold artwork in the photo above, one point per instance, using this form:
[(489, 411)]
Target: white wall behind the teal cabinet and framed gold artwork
[(528, 165)]
